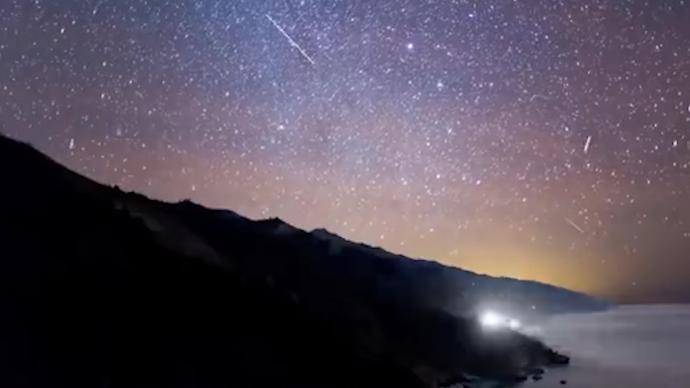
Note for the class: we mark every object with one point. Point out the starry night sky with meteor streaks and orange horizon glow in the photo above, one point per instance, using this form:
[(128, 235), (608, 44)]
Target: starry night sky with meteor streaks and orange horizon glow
[(545, 140)]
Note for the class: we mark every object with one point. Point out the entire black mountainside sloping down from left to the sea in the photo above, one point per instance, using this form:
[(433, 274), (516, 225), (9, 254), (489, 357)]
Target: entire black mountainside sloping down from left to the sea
[(103, 288)]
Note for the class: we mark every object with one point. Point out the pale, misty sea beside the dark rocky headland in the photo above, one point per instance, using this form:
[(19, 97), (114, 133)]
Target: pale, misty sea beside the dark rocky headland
[(629, 346)]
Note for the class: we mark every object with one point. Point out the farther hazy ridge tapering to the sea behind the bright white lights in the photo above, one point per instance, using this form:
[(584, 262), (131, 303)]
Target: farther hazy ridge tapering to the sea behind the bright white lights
[(423, 282)]
